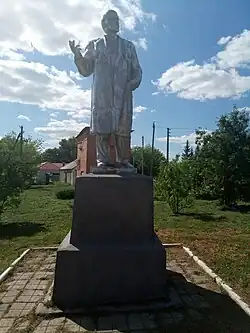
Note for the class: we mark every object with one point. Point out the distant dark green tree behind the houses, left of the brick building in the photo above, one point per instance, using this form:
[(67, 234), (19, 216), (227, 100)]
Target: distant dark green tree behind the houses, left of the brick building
[(66, 152)]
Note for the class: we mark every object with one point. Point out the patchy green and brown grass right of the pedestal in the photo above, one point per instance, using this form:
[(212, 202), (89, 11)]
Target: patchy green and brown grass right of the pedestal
[(220, 238)]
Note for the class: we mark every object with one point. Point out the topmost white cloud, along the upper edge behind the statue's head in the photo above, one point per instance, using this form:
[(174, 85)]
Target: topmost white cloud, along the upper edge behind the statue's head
[(47, 25)]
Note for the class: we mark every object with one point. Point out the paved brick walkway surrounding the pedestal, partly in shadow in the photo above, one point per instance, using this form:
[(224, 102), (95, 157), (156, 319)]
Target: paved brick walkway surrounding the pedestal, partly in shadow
[(197, 303)]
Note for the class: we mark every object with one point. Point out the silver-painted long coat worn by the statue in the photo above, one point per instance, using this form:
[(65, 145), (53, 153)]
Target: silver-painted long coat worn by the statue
[(113, 73)]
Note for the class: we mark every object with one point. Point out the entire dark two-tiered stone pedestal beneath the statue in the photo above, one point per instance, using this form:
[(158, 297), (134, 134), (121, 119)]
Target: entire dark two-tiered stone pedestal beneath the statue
[(112, 254)]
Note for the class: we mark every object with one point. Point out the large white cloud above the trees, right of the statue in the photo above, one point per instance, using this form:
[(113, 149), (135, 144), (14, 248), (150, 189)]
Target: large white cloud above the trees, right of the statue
[(218, 78)]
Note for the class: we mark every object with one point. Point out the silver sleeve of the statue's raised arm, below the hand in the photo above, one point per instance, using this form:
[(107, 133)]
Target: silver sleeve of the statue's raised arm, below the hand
[(85, 63)]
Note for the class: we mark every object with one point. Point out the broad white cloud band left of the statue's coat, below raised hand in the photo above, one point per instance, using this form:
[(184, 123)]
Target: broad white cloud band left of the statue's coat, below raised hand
[(40, 85)]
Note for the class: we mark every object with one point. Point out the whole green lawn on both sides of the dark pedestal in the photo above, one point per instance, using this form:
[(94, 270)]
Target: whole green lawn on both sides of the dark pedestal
[(220, 238)]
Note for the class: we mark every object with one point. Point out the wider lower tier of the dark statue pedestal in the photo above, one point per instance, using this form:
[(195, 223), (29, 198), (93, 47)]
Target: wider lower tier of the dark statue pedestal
[(93, 275)]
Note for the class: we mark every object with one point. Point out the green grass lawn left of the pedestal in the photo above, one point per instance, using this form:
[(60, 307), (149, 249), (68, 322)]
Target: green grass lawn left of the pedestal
[(40, 220)]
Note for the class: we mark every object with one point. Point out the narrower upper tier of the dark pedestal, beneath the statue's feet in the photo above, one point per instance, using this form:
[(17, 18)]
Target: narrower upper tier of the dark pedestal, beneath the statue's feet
[(112, 209)]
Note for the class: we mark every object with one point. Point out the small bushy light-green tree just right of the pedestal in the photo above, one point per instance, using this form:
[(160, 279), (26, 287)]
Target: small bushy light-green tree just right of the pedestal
[(174, 185)]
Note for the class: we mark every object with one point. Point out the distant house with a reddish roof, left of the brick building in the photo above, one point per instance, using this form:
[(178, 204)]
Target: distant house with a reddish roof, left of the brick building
[(48, 168)]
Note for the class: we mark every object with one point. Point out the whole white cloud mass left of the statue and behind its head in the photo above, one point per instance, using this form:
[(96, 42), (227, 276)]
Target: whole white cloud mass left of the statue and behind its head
[(46, 26)]
